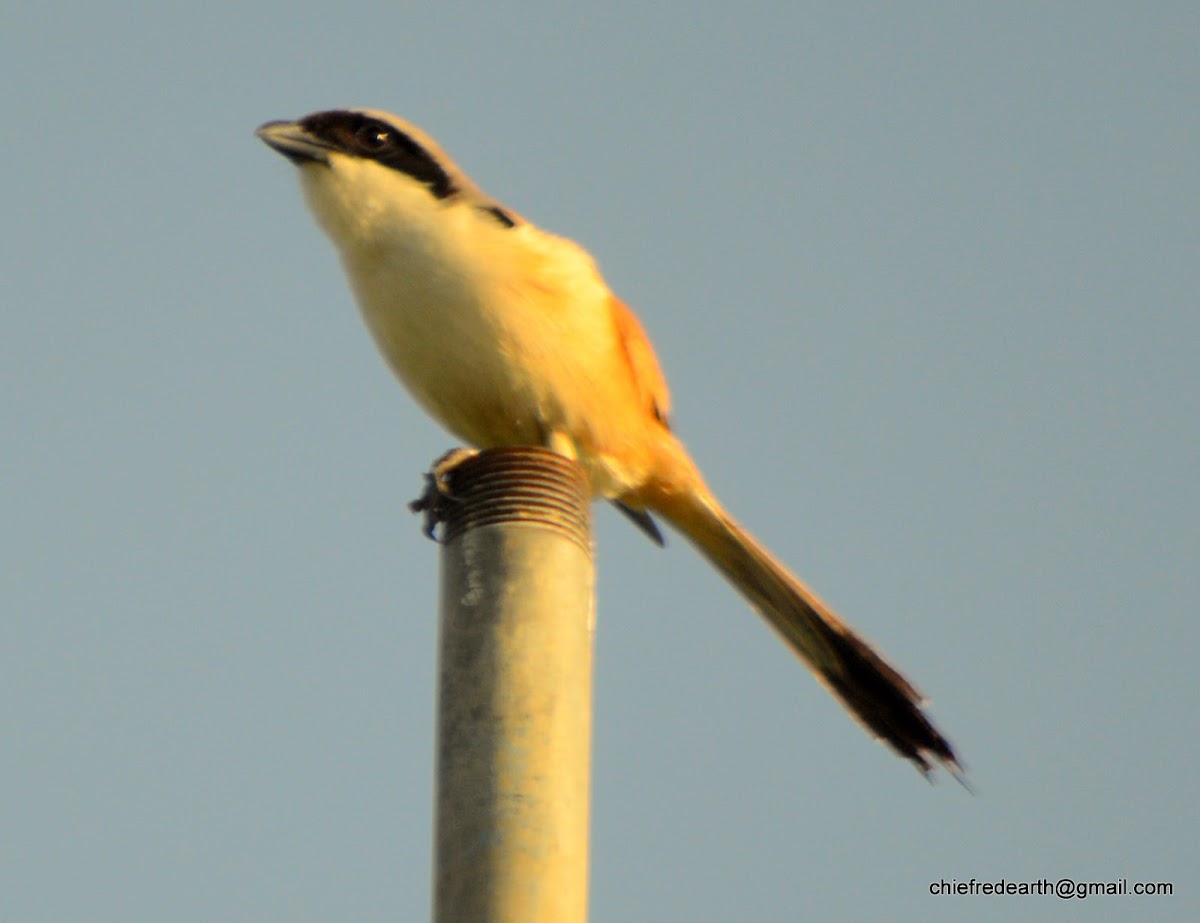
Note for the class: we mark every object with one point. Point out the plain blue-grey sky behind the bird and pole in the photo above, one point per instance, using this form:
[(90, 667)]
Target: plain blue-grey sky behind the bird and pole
[(926, 281)]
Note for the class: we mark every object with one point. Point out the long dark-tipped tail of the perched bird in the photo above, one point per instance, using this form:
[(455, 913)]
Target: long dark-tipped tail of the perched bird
[(871, 688)]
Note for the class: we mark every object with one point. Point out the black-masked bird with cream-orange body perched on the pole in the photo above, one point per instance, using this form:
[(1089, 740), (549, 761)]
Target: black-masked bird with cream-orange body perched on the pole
[(509, 335)]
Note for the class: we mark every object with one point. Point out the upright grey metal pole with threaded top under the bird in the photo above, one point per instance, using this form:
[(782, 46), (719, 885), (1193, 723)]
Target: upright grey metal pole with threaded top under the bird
[(518, 615)]
